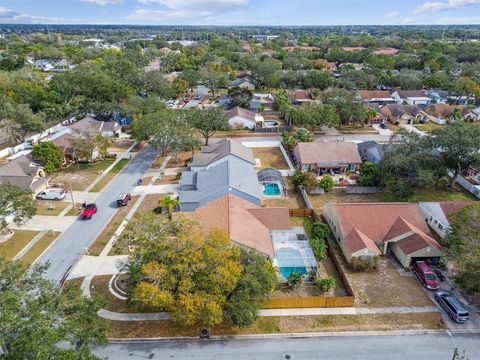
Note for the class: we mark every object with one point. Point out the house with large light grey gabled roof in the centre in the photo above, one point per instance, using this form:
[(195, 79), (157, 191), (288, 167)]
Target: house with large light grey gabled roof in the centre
[(227, 167)]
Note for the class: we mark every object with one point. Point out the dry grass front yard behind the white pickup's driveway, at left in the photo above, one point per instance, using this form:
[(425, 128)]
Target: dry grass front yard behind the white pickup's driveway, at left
[(79, 176)]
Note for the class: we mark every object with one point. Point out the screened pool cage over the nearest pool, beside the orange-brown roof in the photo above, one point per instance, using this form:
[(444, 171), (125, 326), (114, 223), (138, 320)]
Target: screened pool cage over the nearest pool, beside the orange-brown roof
[(293, 252)]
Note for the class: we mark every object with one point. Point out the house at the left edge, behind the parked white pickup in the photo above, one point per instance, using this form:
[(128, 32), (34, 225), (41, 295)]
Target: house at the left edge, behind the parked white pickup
[(24, 172)]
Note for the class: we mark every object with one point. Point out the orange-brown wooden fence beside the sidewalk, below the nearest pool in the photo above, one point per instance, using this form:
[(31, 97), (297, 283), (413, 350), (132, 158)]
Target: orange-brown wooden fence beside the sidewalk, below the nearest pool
[(311, 301)]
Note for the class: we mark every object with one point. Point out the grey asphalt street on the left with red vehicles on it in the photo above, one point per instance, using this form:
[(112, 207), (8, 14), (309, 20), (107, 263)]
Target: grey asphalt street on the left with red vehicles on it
[(74, 241)]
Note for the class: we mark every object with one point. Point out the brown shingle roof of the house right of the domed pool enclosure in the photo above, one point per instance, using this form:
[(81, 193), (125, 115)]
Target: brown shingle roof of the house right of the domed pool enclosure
[(327, 152)]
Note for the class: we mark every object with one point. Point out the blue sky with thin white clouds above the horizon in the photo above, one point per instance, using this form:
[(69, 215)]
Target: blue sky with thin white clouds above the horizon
[(241, 12)]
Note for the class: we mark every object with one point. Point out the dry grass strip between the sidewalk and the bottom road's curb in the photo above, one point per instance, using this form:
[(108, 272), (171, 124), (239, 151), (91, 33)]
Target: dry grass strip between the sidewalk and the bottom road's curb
[(285, 324)]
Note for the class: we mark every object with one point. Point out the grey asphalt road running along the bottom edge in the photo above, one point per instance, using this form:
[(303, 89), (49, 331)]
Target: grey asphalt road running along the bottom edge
[(357, 347)]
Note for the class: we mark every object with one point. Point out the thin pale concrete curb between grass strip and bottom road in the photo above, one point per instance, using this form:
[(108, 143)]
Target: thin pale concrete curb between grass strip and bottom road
[(297, 335)]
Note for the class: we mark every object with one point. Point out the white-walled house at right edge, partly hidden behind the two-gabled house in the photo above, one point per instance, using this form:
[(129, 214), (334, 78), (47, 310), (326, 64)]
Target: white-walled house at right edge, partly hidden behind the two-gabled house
[(436, 214)]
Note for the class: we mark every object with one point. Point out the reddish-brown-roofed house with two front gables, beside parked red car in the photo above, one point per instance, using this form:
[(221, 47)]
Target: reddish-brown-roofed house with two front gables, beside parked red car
[(366, 230)]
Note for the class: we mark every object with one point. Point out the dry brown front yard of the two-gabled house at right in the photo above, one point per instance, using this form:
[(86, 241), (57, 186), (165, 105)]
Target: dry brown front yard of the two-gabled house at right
[(384, 287)]
